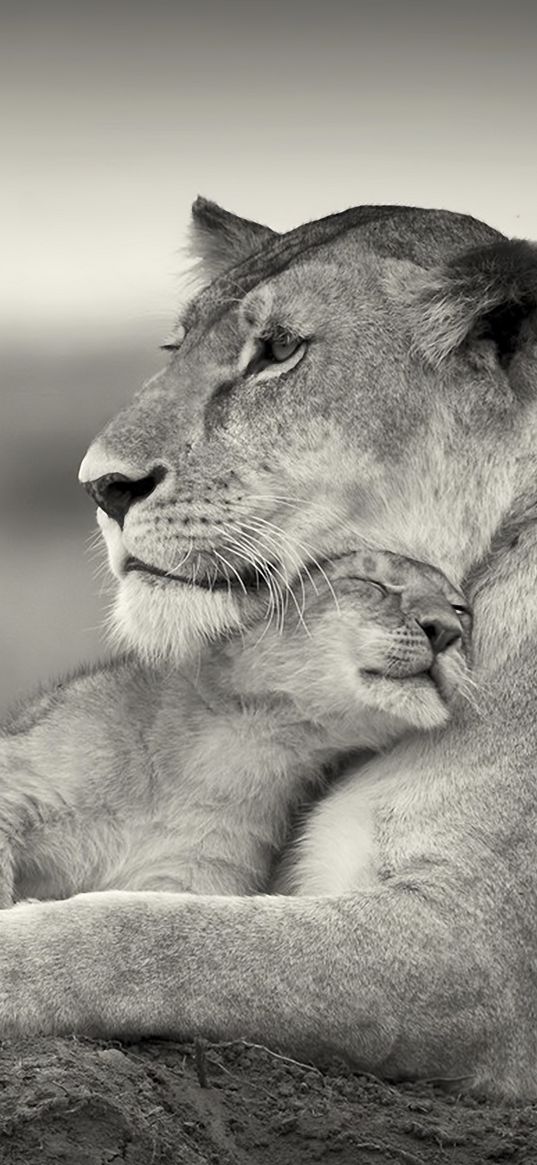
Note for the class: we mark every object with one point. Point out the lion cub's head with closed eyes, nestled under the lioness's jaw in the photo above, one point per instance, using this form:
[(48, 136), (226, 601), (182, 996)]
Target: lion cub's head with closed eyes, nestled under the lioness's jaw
[(373, 646)]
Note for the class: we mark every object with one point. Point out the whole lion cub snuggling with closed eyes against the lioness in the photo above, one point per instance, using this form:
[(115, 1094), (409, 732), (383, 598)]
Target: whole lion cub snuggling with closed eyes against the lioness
[(129, 778)]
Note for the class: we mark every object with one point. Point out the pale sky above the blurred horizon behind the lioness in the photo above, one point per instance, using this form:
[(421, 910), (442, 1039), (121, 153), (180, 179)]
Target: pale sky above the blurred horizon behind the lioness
[(118, 115)]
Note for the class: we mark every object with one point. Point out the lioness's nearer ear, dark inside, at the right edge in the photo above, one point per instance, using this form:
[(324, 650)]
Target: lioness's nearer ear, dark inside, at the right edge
[(484, 294)]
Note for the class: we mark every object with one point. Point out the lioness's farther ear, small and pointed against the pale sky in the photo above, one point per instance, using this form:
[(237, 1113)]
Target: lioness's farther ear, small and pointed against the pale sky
[(221, 239)]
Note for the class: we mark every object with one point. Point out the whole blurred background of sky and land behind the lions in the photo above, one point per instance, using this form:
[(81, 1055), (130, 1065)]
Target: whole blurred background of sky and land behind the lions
[(115, 117)]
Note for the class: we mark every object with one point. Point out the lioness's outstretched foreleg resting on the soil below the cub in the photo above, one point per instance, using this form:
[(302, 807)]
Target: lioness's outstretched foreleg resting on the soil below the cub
[(395, 983)]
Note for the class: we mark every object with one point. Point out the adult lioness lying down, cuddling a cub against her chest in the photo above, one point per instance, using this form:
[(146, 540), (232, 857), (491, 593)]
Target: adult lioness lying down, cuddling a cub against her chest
[(369, 377)]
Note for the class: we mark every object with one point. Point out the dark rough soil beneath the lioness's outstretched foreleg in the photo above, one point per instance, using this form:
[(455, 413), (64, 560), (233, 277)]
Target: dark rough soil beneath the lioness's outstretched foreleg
[(87, 1103)]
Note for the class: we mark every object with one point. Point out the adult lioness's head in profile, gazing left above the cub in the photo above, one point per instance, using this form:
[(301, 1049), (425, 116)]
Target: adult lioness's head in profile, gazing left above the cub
[(363, 379)]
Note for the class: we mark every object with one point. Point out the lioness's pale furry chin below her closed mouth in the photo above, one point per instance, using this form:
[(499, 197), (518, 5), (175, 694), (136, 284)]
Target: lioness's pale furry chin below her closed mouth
[(171, 623)]
